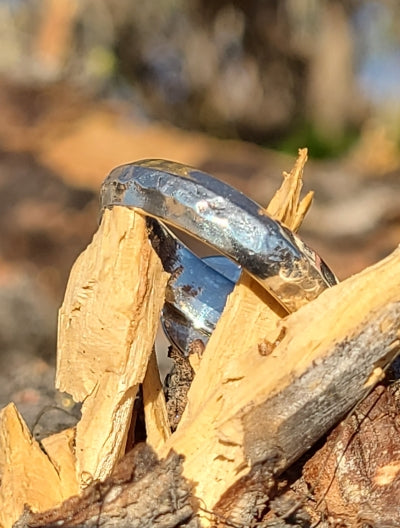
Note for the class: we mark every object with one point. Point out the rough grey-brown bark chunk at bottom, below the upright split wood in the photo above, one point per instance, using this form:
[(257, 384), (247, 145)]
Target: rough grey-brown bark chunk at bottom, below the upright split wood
[(142, 492)]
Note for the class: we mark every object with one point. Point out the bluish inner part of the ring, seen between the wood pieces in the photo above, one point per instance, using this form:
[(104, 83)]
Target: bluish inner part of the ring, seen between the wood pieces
[(196, 292)]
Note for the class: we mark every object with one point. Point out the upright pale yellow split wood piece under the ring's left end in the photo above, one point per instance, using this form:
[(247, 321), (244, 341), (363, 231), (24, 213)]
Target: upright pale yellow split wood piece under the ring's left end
[(106, 332)]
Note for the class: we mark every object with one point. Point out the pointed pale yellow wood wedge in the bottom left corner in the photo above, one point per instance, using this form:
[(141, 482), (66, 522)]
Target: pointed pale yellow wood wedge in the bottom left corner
[(27, 475)]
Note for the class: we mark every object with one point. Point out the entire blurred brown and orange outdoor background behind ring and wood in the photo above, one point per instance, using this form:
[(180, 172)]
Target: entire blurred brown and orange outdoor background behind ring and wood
[(231, 87)]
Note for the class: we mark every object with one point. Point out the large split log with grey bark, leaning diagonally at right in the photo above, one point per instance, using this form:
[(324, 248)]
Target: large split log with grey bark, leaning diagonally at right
[(254, 408)]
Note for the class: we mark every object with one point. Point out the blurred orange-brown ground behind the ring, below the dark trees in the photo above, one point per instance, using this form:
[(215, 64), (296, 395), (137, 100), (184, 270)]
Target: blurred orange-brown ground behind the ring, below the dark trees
[(56, 147)]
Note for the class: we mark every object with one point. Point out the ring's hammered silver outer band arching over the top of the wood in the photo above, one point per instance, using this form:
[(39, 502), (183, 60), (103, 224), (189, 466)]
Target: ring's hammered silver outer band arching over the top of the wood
[(226, 220)]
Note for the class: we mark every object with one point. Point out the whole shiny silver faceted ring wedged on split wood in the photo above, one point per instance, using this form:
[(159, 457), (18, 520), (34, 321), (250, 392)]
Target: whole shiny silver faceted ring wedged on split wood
[(229, 222)]
